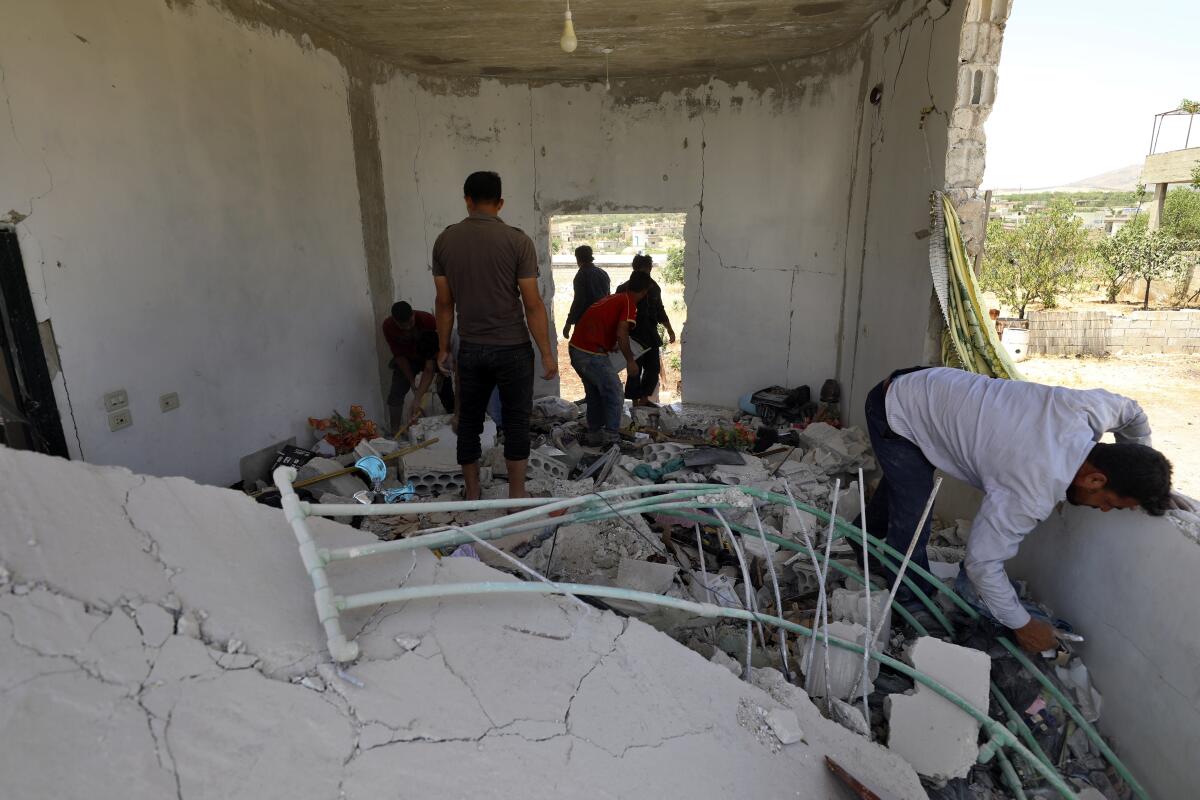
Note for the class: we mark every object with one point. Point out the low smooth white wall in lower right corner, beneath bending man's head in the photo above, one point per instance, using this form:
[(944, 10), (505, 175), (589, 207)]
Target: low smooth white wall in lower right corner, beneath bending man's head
[(1129, 584)]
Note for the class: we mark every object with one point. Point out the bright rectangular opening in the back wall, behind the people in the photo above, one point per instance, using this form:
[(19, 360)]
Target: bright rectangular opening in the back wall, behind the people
[(615, 240)]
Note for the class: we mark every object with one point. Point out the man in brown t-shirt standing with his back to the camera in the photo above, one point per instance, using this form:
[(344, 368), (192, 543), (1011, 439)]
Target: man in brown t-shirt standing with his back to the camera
[(488, 272)]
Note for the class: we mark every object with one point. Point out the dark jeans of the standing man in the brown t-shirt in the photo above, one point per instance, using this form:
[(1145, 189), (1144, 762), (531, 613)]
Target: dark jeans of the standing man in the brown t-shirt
[(482, 370)]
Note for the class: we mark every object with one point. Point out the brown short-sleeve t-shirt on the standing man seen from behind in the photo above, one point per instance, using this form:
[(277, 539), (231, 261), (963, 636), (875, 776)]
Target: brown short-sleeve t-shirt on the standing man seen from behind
[(483, 257)]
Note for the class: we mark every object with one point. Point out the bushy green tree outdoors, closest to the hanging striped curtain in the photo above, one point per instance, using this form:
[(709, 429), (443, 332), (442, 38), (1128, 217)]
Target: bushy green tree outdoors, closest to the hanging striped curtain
[(1039, 261)]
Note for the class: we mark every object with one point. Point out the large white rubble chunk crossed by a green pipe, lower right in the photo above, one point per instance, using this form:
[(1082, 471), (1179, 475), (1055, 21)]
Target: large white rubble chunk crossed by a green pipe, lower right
[(933, 735)]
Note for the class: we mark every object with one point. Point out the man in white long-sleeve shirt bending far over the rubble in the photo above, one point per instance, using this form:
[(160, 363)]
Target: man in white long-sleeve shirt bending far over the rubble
[(1028, 447)]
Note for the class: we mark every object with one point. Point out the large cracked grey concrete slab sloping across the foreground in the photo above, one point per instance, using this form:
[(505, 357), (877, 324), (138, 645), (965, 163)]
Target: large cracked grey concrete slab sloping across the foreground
[(160, 639)]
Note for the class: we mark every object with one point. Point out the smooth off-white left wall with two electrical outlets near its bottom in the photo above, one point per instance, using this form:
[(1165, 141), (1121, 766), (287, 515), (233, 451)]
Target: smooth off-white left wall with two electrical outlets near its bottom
[(194, 227)]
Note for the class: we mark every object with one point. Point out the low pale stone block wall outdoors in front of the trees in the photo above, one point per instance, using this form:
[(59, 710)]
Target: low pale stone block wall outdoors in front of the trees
[(1096, 333)]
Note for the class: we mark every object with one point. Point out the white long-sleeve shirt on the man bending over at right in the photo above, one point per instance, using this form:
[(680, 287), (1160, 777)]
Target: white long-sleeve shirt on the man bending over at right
[(1021, 443)]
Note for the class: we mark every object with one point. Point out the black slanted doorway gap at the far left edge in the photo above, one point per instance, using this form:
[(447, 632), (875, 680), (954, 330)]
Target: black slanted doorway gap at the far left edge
[(29, 417)]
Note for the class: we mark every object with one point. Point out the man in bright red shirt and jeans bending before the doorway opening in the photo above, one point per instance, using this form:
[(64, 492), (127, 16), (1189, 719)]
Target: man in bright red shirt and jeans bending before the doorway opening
[(604, 329)]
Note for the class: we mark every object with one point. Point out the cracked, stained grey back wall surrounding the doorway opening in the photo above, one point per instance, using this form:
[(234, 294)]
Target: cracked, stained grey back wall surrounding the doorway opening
[(773, 167)]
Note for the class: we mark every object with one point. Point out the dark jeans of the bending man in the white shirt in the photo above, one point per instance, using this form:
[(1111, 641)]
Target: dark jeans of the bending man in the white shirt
[(901, 498)]
